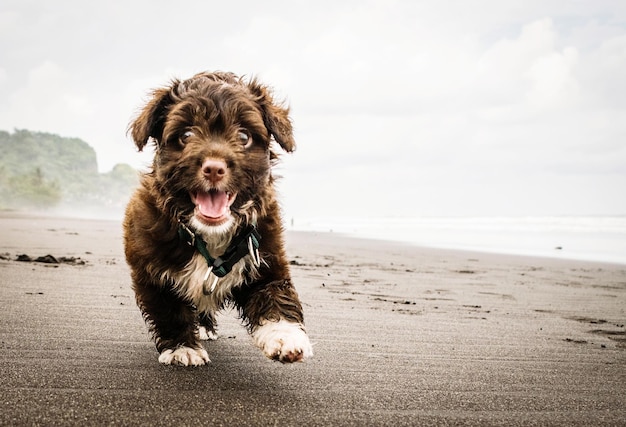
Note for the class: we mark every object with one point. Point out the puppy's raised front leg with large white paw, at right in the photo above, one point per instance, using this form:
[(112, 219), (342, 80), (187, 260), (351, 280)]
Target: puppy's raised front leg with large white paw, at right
[(274, 315)]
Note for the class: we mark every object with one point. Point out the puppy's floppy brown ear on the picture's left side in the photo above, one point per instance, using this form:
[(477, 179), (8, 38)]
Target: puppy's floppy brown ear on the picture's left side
[(151, 120)]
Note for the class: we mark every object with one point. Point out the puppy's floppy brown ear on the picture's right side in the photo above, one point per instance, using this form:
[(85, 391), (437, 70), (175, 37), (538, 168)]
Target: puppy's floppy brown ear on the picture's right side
[(275, 116)]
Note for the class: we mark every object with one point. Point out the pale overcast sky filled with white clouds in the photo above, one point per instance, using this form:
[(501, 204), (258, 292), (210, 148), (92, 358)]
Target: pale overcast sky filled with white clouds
[(400, 108)]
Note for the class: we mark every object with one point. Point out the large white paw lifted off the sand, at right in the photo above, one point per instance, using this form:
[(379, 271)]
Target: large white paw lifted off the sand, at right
[(283, 341)]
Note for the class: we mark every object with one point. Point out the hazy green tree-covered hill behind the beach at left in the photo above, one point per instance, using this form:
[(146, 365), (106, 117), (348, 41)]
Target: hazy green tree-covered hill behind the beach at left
[(44, 171)]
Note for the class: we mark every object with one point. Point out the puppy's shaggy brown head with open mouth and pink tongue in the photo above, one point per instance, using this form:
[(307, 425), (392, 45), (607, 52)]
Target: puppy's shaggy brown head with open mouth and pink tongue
[(213, 135)]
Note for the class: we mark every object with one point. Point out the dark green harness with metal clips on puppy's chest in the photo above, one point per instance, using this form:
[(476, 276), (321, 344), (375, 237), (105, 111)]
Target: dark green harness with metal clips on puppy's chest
[(245, 243)]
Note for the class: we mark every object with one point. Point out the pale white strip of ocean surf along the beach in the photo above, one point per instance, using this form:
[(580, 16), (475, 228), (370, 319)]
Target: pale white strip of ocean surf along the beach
[(593, 238)]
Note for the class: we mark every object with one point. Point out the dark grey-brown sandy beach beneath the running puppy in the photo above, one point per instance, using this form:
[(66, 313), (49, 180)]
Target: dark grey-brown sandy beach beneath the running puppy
[(402, 336)]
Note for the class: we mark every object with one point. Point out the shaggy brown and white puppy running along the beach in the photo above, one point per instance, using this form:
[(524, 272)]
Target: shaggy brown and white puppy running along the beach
[(203, 230)]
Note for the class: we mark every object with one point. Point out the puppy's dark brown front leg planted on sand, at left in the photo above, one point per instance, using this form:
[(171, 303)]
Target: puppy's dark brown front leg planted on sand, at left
[(173, 324)]
